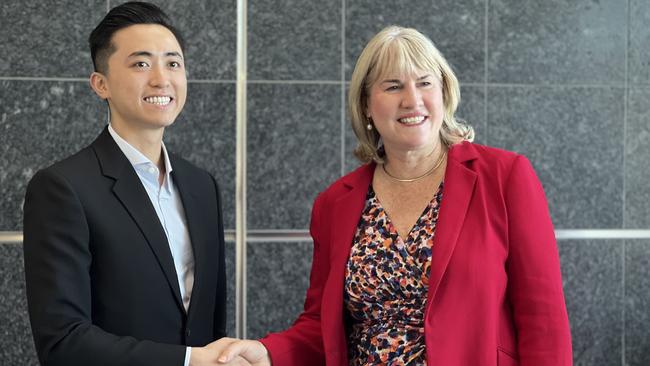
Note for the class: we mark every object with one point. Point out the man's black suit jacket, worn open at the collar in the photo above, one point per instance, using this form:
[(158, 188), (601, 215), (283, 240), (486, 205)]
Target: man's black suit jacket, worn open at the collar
[(101, 284)]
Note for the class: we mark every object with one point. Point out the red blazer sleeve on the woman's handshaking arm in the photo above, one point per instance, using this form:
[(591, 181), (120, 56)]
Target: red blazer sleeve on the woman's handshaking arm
[(302, 343)]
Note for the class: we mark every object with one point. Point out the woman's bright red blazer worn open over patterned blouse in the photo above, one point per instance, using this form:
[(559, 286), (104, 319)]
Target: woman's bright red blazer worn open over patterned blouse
[(495, 289)]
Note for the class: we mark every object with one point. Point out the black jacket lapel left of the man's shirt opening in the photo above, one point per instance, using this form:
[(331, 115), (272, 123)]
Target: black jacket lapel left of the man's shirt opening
[(133, 196)]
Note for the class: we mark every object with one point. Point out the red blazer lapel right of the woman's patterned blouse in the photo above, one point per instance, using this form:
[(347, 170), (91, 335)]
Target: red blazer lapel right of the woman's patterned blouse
[(457, 193)]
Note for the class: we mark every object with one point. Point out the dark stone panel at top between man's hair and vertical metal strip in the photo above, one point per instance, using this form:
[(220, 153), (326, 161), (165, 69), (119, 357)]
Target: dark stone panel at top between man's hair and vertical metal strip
[(209, 29)]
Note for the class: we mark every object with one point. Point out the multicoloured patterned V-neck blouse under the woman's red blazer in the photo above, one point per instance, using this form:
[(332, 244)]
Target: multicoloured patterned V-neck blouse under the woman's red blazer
[(386, 283)]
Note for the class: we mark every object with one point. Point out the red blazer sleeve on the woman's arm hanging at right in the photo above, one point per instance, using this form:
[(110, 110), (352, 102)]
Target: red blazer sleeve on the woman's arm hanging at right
[(534, 278)]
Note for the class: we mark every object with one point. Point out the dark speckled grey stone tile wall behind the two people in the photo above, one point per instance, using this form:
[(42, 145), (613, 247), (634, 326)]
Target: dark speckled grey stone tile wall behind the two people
[(567, 83)]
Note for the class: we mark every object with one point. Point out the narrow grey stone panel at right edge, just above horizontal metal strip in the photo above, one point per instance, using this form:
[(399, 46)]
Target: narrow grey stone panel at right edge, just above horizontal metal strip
[(637, 153)]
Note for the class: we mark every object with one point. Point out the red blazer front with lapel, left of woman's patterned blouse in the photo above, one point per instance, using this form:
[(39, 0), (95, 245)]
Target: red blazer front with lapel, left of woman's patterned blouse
[(346, 211)]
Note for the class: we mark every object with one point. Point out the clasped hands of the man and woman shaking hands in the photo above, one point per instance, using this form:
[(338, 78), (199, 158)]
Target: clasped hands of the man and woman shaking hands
[(231, 351)]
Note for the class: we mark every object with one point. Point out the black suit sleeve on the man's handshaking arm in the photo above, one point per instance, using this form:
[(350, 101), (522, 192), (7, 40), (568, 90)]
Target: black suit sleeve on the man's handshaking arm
[(57, 271)]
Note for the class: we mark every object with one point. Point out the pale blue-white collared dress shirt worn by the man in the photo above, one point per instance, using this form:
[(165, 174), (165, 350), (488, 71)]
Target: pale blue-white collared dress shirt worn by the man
[(167, 202)]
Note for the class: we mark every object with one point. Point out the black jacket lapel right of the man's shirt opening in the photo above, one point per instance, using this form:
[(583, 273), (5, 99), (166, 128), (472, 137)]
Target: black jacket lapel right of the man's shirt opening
[(193, 209)]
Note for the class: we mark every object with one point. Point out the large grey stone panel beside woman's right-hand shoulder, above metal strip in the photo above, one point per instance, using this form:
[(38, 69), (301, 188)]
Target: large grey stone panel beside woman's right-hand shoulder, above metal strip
[(574, 138)]
